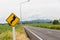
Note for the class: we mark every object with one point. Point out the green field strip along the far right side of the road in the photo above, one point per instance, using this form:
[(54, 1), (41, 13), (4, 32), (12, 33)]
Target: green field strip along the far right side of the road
[(46, 25)]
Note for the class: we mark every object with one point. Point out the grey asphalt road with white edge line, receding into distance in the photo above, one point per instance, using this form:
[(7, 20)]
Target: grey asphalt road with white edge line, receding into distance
[(36, 33)]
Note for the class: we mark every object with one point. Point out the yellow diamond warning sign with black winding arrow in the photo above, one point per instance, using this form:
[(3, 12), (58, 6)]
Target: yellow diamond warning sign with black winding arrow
[(12, 19)]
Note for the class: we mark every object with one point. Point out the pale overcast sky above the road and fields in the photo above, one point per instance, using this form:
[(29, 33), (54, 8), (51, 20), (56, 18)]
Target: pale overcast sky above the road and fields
[(35, 9)]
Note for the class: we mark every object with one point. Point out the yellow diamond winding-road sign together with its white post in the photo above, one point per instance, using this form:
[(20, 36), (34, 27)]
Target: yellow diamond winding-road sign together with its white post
[(13, 20)]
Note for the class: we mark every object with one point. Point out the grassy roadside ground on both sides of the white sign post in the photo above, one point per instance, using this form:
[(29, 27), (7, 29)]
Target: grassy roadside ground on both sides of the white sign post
[(6, 32)]
